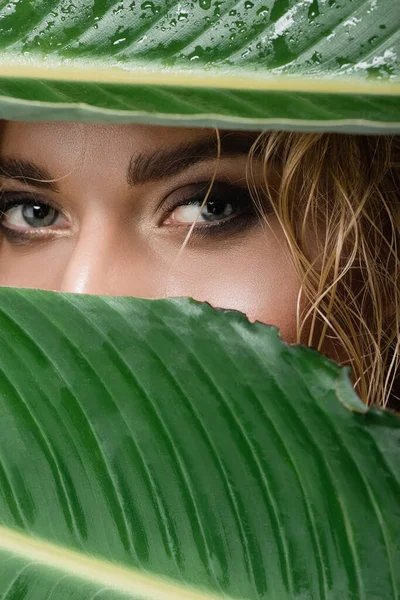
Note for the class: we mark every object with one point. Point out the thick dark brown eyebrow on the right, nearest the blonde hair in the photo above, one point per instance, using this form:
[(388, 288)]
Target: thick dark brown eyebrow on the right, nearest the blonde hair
[(161, 164)]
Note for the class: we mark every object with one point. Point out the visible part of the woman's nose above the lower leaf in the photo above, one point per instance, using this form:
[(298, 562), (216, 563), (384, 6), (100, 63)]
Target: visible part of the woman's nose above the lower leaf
[(89, 266)]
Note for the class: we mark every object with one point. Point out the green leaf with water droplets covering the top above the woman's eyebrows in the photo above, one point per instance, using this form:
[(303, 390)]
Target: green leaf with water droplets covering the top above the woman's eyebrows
[(261, 64)]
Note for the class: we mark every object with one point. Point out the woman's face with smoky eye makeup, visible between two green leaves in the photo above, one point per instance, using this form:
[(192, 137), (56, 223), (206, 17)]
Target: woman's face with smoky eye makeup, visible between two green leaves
[(105, 210)]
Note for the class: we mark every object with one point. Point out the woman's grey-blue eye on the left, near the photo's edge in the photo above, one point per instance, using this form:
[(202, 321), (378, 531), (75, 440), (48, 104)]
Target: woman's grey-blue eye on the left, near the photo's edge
[(32, 215)]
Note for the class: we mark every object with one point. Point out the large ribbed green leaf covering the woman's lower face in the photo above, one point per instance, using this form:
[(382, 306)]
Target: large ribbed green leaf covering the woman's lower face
[(163, 449)]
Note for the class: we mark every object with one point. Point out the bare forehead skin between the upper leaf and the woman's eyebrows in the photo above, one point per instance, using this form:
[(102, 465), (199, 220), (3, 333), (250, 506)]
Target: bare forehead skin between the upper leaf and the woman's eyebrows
[(92, 152)]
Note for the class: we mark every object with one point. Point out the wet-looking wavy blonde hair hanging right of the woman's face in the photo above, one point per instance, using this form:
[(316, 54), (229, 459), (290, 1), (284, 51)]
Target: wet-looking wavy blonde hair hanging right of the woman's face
[(337, 200)]
